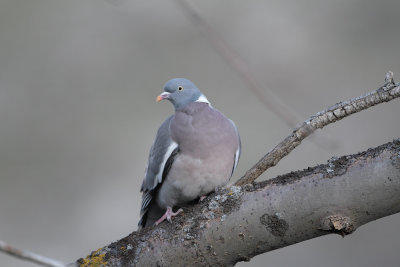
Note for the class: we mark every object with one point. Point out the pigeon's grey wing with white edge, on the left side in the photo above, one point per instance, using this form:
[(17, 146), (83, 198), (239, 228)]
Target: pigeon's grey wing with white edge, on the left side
[(161, 156)]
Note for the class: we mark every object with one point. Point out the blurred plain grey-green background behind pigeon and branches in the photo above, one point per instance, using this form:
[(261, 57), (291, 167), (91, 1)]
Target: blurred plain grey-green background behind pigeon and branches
[(78, 81)]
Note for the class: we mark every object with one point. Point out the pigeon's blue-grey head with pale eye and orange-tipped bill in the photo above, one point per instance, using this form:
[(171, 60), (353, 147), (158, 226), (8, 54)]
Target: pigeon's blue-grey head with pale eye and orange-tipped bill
[(181, 92)]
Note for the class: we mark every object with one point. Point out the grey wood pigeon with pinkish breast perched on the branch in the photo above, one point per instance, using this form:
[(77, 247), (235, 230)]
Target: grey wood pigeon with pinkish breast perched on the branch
[(195, 151)]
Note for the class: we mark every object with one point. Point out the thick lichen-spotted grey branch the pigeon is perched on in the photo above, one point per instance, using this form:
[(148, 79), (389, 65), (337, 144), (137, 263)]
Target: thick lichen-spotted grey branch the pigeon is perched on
[(237, 223)]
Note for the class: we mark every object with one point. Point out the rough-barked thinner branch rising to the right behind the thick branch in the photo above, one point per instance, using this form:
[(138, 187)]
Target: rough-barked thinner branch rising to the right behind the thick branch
[(387, 92)]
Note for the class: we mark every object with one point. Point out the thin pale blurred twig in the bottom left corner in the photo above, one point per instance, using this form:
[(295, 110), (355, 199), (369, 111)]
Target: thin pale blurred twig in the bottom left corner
[(29, 256)]
